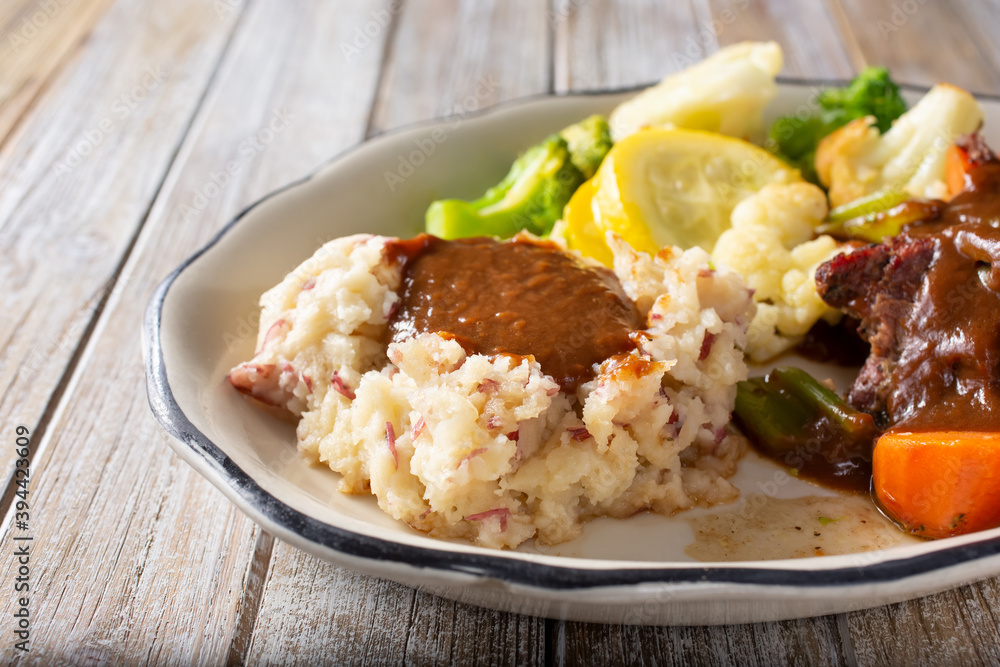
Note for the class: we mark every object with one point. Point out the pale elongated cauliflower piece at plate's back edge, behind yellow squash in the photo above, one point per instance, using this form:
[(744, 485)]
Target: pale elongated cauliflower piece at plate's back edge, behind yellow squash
[(724, 93)]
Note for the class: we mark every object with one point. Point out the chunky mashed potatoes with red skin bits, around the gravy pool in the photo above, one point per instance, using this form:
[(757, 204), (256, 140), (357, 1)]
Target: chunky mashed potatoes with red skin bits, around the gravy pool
[(488, 448)]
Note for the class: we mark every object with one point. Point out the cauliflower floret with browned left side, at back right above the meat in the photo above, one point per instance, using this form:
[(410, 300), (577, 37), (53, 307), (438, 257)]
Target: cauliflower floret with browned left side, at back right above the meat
[(856, 160)]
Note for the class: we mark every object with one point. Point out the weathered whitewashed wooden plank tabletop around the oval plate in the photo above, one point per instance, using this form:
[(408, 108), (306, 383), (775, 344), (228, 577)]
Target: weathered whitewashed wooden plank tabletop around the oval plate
[(137, 549)]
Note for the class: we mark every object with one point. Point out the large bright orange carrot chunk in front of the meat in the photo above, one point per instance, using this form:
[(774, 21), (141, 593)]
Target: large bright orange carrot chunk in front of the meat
[(939, 484)]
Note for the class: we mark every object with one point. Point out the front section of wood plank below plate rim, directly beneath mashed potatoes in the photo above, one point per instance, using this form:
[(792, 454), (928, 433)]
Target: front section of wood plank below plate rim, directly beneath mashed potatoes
[(317, 613)]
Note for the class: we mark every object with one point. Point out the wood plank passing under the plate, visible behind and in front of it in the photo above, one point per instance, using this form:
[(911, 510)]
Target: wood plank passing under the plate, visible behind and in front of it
[(445, 58)]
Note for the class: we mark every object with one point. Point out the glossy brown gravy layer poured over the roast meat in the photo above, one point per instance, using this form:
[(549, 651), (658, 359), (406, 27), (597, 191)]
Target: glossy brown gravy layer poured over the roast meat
[(948, 377)]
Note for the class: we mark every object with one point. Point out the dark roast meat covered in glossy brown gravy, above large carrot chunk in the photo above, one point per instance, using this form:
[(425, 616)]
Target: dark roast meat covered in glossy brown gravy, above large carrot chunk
[(929, 305)]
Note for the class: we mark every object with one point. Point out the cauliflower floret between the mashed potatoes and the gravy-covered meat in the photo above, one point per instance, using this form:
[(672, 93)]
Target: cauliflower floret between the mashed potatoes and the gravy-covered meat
[(769, 245)]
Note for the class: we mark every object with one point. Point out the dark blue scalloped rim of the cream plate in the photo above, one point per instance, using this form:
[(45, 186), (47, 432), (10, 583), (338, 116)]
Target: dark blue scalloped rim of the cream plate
[(246, 493)]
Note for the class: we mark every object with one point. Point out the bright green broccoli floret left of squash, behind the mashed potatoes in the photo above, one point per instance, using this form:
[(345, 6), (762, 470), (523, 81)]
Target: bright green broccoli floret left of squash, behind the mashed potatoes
[(531, 197)]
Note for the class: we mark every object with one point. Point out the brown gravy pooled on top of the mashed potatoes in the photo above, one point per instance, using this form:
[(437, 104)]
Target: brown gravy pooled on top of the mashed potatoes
[(521, 297)]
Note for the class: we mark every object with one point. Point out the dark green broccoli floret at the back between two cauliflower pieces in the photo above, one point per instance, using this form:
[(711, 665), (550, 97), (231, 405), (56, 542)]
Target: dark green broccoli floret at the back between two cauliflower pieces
[(872, 93)]
